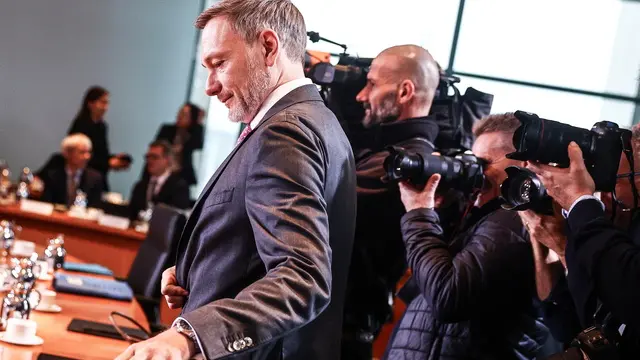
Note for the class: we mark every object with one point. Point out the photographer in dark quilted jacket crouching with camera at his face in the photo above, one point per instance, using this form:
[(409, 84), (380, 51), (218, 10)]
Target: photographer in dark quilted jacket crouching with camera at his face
[(476, 289)]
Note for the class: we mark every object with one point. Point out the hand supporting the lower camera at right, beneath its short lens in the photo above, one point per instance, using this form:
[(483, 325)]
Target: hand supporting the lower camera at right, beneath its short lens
[(546, 230)]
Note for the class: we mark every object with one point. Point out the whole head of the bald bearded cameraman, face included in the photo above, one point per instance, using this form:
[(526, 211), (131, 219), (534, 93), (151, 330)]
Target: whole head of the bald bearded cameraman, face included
[(402, 82)]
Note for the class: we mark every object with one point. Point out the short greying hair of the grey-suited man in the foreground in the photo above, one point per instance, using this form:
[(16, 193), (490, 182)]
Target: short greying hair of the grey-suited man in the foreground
[(250, 17)]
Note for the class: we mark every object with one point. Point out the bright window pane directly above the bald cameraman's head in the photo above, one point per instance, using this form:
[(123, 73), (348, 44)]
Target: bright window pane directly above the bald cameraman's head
[(368, 27)]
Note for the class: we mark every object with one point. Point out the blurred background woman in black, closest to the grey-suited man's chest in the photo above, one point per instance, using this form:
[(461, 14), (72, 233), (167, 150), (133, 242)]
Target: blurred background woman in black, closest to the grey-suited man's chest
[(186, 136)]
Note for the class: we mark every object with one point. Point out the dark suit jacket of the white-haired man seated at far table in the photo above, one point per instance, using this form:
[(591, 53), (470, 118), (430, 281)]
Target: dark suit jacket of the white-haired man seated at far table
[(54, 177)]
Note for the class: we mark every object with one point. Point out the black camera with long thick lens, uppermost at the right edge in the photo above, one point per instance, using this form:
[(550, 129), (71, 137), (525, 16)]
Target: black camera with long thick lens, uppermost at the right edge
[(546, 141)]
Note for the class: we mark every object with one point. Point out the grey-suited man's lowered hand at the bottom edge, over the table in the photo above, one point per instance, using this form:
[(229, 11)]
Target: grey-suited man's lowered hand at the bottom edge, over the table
[(170, 345)]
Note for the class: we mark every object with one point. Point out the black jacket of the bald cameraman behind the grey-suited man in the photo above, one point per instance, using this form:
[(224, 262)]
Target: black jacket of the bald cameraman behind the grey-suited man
[(378, 260)]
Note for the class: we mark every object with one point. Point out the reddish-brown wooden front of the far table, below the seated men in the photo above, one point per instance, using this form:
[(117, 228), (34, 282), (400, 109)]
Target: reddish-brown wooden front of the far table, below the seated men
[(89, 241)]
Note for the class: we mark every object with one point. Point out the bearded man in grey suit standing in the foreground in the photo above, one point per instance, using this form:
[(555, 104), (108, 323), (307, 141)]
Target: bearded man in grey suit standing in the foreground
[(262, 263)]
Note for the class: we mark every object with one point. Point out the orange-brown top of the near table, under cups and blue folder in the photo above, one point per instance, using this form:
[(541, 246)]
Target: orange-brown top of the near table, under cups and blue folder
[(52, 328)]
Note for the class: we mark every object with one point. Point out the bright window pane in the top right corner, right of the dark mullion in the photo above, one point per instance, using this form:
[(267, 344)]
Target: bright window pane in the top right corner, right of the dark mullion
[(583, 45)]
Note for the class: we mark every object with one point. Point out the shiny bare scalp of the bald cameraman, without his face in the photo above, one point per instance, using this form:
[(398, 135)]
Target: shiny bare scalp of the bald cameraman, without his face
[(410, 62)]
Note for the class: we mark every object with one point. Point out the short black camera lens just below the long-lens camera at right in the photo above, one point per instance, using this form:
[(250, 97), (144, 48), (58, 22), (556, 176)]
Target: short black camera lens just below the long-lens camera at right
[(522, 190)]
